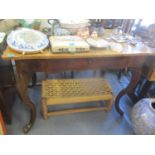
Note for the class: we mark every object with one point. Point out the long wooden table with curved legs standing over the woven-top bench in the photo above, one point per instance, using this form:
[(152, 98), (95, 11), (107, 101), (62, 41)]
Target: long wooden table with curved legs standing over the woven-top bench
[(27, 65)]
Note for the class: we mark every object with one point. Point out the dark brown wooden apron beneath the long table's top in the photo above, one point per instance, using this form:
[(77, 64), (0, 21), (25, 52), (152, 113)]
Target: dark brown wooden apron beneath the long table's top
[(60, 65)]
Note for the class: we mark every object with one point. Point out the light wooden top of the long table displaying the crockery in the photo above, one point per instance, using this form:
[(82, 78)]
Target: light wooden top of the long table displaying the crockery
[(128, 50)]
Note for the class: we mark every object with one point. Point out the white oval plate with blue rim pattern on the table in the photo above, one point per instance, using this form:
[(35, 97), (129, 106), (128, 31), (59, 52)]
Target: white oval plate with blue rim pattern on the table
[(27, 40)]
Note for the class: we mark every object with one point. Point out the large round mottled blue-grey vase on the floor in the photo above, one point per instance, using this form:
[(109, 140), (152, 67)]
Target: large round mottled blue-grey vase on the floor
[(143, 117)]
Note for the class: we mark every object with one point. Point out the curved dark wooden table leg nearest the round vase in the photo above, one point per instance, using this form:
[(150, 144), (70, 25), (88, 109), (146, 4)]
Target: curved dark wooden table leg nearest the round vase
[(136, 74)]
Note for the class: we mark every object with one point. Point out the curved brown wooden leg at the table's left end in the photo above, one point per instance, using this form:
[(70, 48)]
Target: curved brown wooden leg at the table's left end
[(22, 85)]
